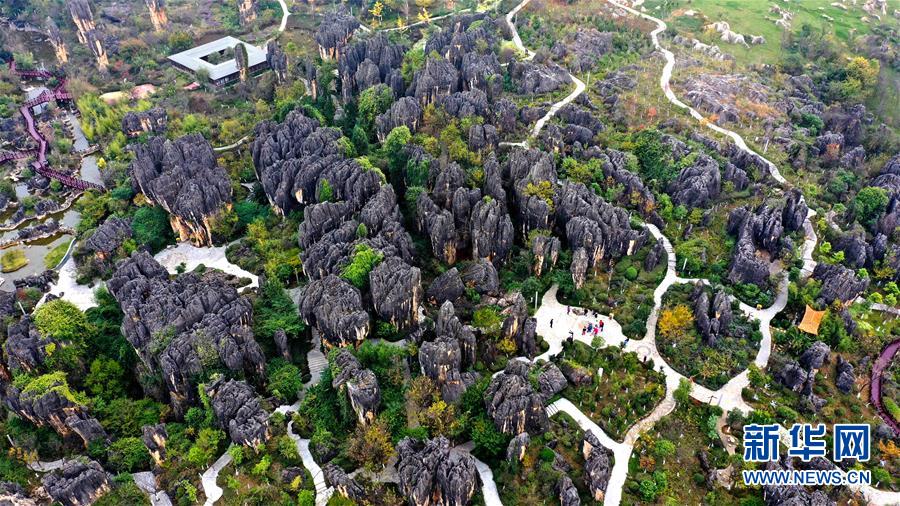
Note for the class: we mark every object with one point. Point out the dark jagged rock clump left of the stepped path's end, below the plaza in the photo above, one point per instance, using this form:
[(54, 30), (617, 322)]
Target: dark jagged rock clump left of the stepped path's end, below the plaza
[(513, 404)]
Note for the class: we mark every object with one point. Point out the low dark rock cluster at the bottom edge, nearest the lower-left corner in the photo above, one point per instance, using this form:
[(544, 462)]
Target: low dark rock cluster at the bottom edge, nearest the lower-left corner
[(77, 483)]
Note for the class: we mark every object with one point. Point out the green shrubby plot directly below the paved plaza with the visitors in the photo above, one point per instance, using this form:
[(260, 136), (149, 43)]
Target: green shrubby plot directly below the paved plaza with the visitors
[(626, 392)]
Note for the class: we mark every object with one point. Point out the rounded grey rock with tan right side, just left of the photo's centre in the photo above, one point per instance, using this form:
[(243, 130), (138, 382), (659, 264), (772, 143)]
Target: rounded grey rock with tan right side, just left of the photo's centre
[(396, 292)]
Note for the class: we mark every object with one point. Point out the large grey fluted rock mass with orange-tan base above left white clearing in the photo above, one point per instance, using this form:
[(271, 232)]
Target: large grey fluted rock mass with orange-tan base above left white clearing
[(182, 177)]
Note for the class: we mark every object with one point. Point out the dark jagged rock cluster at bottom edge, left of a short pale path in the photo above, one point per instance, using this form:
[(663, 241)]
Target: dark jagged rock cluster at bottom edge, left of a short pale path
[(431, 474)]
